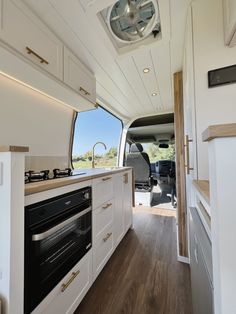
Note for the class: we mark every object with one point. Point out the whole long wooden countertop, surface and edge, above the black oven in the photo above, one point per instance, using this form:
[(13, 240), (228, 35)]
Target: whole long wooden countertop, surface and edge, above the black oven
[(36, 187)]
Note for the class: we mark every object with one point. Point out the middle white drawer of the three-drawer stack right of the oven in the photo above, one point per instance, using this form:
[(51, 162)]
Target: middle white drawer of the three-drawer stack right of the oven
[(102, 217)]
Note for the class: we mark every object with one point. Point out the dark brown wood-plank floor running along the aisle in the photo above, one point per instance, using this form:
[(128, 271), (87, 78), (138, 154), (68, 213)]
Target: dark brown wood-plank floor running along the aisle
[(142, 276)]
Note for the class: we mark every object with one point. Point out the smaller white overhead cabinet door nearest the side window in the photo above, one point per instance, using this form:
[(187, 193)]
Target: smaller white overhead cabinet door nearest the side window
[(77, 76)]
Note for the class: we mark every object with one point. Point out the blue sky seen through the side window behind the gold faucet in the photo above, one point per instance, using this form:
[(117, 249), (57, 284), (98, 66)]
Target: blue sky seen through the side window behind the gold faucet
[(93, 126)]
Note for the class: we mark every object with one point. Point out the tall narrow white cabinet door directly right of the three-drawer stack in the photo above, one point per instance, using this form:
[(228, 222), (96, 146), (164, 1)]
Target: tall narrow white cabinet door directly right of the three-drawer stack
[(119, 229)]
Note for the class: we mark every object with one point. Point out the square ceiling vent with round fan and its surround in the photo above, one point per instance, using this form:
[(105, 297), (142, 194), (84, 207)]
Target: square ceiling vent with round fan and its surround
[(132, 23)]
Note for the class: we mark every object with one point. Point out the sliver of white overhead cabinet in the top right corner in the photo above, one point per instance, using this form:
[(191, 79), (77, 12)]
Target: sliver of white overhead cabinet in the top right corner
[(230, 22)]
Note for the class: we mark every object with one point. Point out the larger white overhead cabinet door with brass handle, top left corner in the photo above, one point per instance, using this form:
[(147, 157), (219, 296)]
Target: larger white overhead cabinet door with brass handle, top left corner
[(24, 32)]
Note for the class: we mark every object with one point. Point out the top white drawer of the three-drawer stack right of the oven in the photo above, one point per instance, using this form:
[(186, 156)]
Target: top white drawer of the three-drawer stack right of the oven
[(102, 190)]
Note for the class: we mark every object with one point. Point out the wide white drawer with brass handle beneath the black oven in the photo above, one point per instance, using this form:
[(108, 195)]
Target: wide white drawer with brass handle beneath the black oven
[(65, 302)]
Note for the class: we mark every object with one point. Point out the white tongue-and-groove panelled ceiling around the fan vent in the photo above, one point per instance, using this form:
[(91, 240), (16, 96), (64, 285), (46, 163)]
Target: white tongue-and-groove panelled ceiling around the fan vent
[(122, 87)]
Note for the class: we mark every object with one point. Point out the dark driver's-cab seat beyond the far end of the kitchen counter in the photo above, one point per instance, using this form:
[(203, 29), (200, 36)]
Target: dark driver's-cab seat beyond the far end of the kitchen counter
[(140, 162)]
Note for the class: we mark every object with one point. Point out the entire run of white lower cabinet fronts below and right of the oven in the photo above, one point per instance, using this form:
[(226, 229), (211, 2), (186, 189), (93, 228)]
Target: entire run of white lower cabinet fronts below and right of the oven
[(111, 218)]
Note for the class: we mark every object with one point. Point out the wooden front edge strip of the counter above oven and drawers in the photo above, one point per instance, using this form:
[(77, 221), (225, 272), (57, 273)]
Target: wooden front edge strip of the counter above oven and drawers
[(36, 187)]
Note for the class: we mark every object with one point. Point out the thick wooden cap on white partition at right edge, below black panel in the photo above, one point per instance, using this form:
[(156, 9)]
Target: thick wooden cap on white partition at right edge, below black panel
[(219, 130)]
